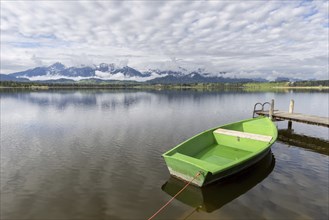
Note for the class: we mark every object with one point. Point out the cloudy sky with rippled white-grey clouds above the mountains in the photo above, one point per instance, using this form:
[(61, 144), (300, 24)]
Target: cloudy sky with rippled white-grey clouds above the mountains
[(245, 38)]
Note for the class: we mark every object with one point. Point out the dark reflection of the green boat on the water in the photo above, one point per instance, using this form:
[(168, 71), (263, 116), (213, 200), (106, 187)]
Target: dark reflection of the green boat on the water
[(214, 196)]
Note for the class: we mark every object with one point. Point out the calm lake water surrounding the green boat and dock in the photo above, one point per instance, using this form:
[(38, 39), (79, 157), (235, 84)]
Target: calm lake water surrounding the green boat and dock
[(97, 155)]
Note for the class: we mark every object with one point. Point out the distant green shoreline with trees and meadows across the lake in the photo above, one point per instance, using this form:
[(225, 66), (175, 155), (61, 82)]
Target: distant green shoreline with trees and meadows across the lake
[(244, 86)]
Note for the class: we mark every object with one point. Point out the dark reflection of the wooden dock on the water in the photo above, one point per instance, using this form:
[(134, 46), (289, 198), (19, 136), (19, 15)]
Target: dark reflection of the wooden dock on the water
[(307, 142)]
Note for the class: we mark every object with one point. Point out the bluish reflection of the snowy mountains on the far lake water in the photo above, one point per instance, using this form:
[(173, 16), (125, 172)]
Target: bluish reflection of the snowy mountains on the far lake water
[(107, 99)]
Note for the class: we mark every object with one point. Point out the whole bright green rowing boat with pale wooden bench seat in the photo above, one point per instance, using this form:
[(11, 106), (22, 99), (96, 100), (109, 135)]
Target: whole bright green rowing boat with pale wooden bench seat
[(222, 151)]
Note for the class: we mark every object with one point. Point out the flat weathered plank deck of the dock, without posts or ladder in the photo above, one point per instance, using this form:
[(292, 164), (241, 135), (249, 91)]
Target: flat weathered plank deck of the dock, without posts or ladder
[(309, 119)]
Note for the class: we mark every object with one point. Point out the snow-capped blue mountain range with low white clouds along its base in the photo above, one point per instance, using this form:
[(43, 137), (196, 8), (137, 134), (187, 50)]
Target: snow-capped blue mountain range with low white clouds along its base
[(58, 72)]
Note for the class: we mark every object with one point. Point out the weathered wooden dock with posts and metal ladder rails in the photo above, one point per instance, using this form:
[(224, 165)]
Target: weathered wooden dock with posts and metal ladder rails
[(290, 115)]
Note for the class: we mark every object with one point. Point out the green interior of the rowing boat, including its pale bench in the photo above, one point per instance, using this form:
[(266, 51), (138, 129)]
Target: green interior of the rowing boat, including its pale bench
[(220, 147)]
